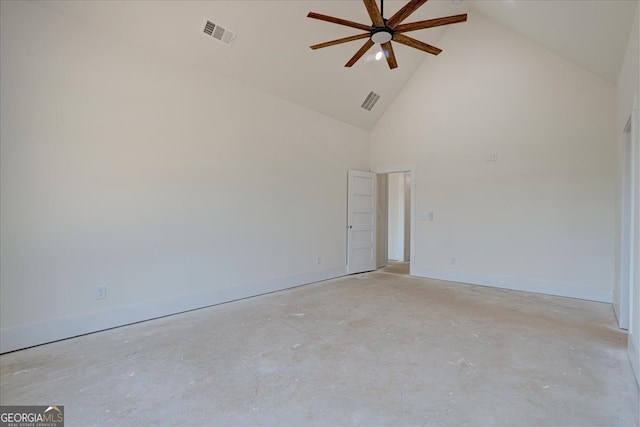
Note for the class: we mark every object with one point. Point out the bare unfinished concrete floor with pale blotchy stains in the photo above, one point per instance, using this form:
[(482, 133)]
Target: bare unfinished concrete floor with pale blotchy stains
[(371, 349)]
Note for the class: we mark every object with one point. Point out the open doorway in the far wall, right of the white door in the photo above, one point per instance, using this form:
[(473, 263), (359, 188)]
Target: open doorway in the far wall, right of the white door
[(394, 222)]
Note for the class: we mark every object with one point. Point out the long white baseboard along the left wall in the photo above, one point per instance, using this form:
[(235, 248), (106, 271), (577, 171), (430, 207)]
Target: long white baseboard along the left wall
[(24, 336)]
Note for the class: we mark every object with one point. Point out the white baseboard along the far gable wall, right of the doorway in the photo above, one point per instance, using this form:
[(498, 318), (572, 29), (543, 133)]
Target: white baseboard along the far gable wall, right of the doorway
[(517, 284)]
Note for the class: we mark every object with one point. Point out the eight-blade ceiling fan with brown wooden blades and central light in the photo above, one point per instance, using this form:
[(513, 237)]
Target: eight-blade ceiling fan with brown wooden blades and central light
[(383, 31)]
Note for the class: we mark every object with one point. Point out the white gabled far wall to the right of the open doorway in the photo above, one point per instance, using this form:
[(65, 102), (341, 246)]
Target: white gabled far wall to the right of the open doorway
[(540, 218)]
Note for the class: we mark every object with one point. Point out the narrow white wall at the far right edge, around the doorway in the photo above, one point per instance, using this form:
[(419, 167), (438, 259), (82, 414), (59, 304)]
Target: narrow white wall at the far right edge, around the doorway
[(628, 88)]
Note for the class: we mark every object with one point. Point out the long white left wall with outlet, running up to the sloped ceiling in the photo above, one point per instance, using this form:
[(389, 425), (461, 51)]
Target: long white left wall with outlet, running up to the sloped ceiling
[(173, 187)]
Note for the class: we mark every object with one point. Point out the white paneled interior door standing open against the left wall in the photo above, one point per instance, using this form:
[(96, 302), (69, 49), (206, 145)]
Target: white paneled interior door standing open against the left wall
[(361, 217)]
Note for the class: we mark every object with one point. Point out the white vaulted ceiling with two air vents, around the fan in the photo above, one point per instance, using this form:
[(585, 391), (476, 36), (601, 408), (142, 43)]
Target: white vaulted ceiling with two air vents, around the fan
[(271, 50)]
